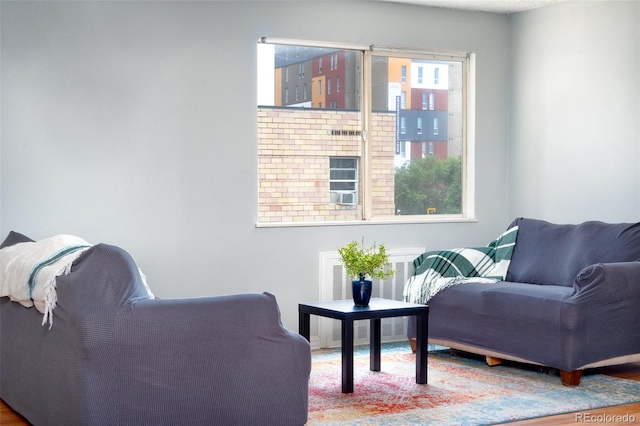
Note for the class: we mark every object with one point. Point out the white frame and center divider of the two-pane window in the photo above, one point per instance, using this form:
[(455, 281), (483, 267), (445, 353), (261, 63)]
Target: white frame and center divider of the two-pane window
[(468, 168)]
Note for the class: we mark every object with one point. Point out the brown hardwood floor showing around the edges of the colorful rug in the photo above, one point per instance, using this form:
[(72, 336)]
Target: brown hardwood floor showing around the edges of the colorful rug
[(8, 417)]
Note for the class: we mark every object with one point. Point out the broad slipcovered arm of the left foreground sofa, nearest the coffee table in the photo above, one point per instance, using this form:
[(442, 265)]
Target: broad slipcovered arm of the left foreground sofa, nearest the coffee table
[(210, 360)]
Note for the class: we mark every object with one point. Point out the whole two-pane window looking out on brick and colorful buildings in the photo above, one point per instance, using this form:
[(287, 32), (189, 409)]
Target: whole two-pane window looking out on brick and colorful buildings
[(356, 155)]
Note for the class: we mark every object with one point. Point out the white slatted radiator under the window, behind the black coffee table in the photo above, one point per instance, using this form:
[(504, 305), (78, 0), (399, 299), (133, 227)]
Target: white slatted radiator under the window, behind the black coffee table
[(335, 285)]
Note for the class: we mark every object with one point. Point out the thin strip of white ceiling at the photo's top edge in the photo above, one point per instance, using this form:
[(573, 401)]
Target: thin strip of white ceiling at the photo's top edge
[(496, 6)]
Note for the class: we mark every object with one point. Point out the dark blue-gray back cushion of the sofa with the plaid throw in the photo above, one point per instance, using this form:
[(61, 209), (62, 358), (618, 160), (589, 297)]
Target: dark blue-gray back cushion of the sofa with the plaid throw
[(548, 253)]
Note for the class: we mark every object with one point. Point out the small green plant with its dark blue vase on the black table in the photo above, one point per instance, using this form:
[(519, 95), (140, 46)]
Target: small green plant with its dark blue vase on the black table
[(362, 263)]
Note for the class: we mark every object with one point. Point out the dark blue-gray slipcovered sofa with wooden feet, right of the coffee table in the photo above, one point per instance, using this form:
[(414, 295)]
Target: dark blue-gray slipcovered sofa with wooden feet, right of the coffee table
[(570, 301)]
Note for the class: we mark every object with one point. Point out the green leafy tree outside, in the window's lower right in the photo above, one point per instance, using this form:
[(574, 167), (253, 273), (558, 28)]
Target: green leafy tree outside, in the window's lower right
[(429, 183)]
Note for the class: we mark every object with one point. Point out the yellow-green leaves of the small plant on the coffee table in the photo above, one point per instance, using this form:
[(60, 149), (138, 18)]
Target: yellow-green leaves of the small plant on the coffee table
[(361, 262)]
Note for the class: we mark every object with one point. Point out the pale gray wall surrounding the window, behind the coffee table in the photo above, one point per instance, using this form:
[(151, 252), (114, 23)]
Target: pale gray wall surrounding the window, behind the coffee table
[(134, 124)]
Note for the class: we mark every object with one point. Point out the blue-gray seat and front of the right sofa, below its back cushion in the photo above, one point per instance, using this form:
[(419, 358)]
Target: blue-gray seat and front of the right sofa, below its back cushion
[(503, 317)]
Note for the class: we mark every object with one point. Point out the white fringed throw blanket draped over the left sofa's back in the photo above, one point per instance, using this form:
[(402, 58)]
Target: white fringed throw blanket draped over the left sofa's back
[(29, 271)]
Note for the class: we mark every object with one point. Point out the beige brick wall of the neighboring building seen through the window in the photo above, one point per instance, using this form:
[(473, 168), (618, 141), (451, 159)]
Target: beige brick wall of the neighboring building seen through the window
[(294, 147)]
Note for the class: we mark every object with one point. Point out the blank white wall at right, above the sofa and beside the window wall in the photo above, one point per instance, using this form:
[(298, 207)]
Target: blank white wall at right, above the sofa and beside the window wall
[(575, 112)]
